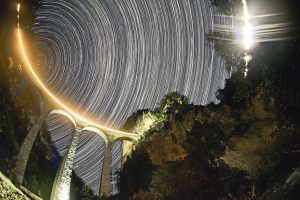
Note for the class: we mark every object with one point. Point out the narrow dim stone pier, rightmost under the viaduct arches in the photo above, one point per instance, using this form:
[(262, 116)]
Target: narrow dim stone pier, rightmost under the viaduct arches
[(105, 177)]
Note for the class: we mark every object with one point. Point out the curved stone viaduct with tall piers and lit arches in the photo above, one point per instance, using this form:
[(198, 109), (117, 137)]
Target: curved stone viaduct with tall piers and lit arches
[(61, 186)]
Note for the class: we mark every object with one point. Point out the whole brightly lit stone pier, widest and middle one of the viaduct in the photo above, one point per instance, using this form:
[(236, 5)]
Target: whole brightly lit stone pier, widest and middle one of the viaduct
[(61, 187)]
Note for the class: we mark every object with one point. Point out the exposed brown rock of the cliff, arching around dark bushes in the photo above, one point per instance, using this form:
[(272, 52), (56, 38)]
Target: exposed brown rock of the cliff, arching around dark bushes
[(246, 132)]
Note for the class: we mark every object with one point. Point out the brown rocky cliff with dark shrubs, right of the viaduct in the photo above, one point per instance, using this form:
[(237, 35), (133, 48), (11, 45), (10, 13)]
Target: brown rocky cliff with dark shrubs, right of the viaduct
[(206, 148)]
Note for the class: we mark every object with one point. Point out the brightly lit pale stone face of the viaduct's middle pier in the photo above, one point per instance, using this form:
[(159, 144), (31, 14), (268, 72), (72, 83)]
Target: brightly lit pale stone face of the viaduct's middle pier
[(65, 178)]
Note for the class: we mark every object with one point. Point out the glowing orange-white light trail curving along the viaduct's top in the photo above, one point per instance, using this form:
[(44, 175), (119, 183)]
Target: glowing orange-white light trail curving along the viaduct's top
[(55, 99)]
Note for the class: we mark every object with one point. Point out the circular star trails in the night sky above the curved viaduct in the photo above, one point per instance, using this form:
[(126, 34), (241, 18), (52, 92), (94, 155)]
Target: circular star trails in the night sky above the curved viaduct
[(106, 59)]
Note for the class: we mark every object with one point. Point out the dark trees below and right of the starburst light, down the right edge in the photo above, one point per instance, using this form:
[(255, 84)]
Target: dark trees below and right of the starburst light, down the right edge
[(275, 70)]
